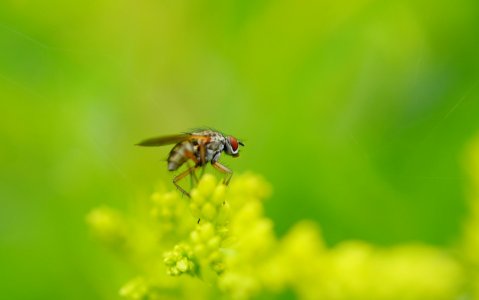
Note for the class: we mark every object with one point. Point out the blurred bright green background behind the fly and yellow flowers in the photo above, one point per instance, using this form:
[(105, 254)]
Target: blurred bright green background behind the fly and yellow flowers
[(358, 113)]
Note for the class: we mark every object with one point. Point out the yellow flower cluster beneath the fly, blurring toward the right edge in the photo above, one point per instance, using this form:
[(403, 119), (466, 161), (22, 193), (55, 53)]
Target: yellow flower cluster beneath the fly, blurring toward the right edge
[(218, 243)]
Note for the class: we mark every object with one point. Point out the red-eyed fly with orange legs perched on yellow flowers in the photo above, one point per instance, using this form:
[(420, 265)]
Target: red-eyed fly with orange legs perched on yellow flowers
[(201, 147)]
